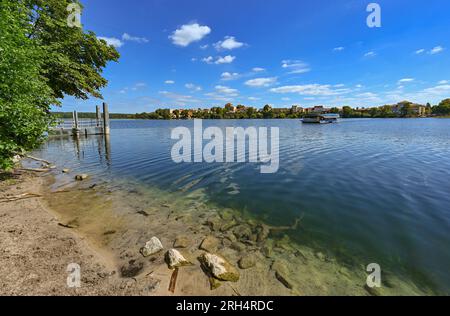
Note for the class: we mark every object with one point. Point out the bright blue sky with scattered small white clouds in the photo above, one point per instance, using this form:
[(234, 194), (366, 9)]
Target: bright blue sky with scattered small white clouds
[(204, 53)]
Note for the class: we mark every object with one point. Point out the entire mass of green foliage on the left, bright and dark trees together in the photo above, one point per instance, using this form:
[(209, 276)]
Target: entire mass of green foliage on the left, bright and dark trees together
[(42, 59)]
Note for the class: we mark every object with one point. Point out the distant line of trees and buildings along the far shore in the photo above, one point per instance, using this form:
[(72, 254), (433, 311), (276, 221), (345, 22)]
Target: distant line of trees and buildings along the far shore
[(400, 110)]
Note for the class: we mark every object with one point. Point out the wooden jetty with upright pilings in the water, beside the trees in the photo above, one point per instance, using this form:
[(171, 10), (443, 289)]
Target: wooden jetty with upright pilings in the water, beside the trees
[(100, 126)]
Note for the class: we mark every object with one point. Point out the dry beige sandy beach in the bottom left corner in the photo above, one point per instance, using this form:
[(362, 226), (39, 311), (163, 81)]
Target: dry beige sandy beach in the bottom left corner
[(35, 250)]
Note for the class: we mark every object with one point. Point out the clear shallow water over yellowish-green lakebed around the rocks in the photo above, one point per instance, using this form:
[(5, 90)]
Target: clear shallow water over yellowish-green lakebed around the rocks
[(121, 217)]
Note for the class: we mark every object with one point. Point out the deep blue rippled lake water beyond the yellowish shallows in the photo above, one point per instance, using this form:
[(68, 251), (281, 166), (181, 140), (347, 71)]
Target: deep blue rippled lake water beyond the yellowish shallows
[(369, 191)]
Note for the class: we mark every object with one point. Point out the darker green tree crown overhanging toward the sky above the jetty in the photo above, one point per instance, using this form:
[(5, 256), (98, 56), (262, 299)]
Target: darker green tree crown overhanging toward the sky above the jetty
[(74, 58)]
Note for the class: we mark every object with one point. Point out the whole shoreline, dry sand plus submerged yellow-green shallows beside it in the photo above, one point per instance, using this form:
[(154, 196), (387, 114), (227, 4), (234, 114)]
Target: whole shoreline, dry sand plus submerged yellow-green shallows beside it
[(103, 232)]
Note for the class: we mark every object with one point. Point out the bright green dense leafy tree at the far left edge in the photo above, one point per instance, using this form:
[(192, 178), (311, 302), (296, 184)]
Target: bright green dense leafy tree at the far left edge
[(25, 97)]
